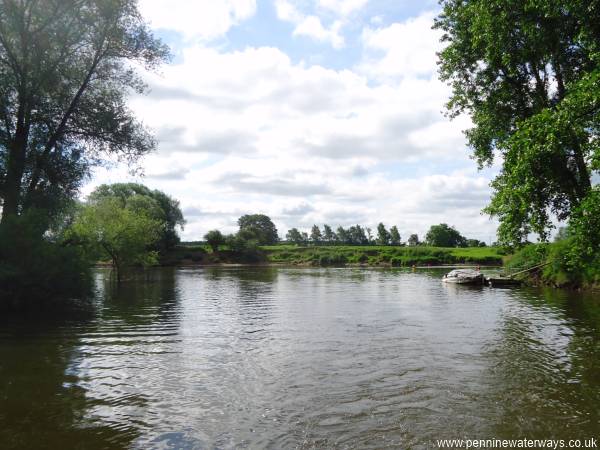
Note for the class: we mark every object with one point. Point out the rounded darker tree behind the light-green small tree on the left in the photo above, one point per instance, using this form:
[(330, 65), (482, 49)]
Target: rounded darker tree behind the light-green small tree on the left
[(157, 204)]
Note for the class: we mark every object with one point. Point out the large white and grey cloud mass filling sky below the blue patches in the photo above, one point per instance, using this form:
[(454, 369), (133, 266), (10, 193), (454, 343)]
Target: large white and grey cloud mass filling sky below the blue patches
[(251, 131)]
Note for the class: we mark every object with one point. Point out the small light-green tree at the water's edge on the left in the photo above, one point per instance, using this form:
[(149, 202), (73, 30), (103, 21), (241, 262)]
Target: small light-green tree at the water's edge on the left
[(125, 235)]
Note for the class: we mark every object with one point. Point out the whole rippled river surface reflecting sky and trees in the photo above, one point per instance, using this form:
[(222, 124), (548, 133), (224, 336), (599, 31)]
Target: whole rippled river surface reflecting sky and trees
[(301, 358)]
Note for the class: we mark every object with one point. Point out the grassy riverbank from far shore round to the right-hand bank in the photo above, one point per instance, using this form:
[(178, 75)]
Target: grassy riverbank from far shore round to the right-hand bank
[(556, 273)]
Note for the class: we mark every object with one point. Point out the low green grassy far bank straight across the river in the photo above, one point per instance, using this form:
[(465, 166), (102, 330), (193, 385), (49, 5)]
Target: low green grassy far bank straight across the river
[(336, 256)]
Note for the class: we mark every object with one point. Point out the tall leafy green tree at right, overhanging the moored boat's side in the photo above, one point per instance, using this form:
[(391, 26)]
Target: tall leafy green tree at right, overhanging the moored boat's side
[(528, 74)]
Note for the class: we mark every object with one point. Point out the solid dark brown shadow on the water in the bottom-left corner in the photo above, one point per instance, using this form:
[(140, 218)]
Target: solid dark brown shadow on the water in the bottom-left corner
[(41, 405)]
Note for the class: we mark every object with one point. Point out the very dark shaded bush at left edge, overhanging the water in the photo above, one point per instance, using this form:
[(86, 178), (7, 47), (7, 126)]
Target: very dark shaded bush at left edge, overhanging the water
[(34, 268)]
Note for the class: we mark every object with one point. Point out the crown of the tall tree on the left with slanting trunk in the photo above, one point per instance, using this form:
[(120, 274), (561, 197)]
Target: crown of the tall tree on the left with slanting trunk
[(66, 67)]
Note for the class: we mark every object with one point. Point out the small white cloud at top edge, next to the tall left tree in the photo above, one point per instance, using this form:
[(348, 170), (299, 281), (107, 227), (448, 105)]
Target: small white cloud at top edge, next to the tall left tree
[(201, 19)]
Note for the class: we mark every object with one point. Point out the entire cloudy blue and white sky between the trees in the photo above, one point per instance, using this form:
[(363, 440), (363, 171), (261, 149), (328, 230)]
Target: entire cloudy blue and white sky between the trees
[(309, 111)]
